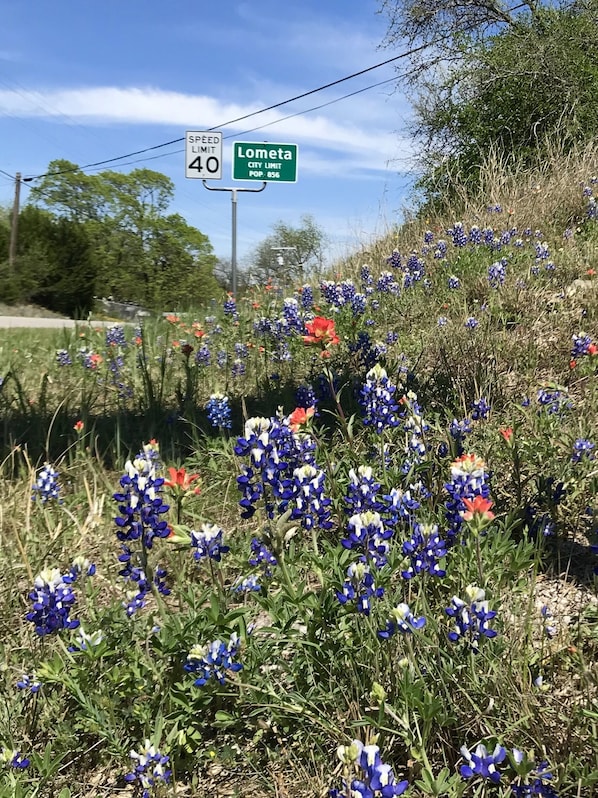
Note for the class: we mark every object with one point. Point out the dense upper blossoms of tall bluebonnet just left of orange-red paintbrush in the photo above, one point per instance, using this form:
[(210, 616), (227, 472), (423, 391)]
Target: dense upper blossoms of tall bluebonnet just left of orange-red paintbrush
[(140, 503)]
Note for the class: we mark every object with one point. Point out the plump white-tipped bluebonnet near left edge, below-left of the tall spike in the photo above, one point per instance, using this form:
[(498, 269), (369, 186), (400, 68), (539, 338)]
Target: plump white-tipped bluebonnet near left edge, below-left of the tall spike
[(52, 601)]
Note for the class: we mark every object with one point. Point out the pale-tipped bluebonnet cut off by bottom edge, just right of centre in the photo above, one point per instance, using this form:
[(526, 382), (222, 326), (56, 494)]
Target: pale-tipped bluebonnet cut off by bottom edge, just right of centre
[(378, 779)]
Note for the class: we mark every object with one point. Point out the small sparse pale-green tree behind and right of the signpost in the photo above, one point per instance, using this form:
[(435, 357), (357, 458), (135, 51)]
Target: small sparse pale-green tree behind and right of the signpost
[(289, 253)]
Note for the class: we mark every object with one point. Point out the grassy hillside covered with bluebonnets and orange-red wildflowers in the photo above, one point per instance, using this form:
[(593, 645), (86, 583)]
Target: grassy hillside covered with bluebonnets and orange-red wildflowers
[(240, 545)]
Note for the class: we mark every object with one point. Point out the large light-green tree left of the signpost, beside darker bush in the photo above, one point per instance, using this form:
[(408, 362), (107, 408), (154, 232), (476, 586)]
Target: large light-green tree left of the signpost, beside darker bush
[(142, 253)]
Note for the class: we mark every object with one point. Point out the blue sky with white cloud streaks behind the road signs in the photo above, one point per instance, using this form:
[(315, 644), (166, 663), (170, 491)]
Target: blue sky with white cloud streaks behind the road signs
[(90, 81)]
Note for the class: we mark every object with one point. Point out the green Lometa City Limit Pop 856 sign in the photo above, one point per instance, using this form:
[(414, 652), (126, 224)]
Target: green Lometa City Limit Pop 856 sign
[(276, 163)]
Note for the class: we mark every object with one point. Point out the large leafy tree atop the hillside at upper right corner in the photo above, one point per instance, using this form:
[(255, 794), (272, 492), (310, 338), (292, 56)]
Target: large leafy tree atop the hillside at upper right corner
[(515, 83)]
